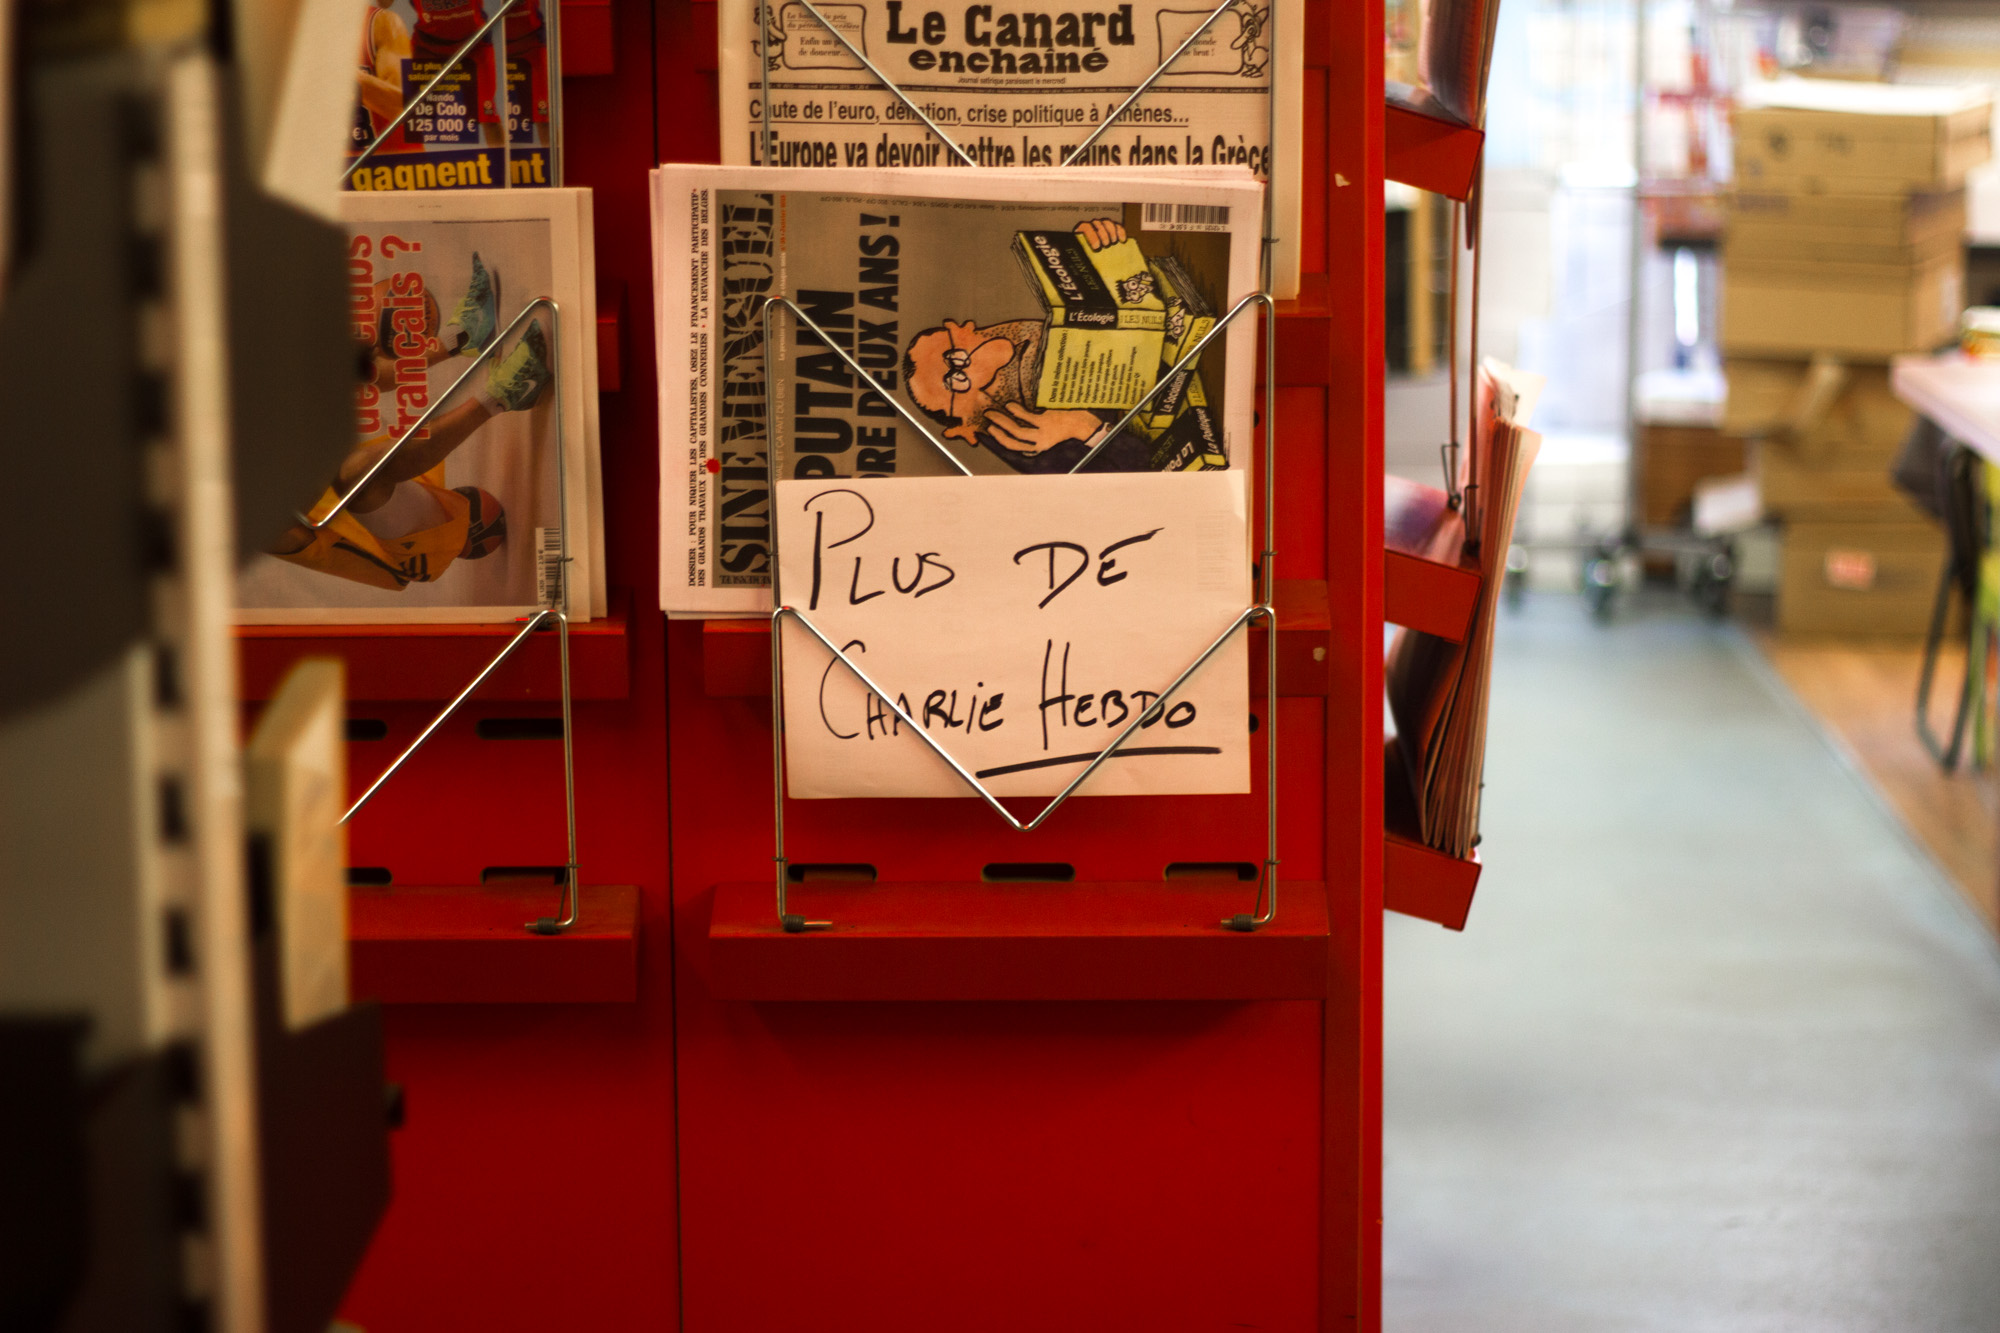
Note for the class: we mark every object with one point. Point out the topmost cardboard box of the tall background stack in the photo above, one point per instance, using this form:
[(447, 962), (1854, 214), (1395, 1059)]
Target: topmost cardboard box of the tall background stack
[(1827, 137)]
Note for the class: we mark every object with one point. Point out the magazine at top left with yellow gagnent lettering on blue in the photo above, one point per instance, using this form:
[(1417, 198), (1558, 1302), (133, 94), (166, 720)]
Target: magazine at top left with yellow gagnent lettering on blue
[(463, 137)]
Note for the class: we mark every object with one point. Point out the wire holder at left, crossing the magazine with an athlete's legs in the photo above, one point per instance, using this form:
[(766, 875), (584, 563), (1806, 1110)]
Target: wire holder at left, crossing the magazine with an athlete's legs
[(555, 609)]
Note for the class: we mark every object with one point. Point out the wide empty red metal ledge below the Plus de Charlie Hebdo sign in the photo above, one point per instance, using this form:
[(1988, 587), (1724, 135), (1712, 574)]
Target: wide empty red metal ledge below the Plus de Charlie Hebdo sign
[(1093, 942)]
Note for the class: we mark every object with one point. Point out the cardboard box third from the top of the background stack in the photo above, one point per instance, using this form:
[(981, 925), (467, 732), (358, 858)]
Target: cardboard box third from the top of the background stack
[(1859, 311)]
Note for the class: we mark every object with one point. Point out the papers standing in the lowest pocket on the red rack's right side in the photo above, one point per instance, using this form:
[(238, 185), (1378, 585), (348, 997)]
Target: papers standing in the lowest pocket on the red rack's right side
[(1439, 690)]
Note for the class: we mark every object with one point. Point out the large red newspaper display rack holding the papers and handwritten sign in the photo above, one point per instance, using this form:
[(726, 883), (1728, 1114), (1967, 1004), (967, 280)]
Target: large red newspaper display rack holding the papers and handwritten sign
[(1021, 1068)]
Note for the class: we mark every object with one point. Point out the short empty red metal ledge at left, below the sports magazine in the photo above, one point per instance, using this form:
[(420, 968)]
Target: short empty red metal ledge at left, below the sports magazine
[(471, 948)]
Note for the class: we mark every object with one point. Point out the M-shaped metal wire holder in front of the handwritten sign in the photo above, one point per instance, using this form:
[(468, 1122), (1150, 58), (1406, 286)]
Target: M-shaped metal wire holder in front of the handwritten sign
[(1267, 896)]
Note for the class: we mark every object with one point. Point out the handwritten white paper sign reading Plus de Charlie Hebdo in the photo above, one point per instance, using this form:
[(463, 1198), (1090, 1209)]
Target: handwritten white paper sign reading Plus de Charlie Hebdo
[(1023, 621)]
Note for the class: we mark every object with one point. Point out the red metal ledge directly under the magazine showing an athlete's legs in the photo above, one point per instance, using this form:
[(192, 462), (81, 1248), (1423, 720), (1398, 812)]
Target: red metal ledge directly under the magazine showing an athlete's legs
[(433, 661)]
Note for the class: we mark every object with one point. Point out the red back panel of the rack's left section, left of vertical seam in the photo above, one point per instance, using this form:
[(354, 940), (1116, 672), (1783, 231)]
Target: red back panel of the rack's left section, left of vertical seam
[(537, 1170)]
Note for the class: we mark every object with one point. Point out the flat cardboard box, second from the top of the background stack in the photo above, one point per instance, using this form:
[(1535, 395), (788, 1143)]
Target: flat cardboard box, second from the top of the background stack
[(1857, 229)]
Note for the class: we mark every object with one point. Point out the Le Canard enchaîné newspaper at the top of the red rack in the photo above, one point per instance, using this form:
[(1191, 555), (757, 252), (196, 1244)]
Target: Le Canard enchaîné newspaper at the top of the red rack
[(1025, 89)]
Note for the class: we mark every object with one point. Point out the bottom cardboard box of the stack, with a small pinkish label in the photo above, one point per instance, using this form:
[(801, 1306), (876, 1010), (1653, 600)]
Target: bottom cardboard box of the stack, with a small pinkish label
[(1859, 579)]
